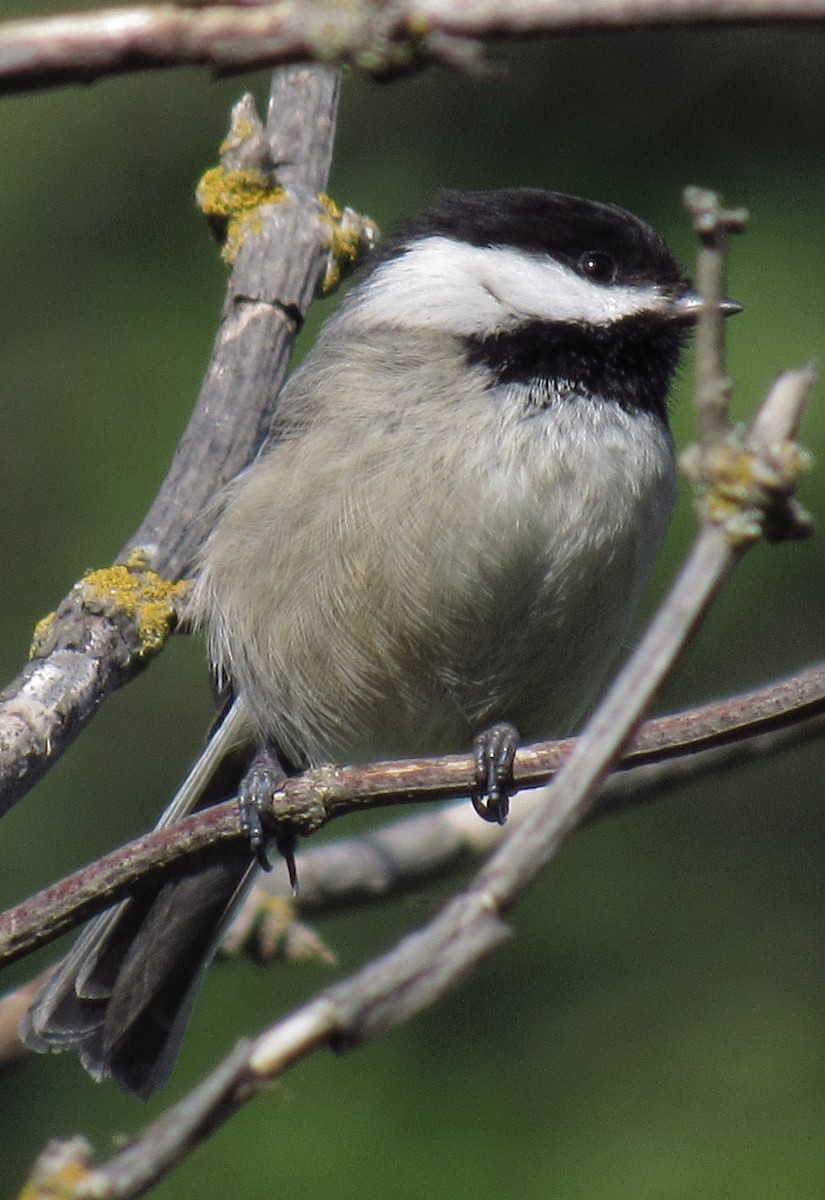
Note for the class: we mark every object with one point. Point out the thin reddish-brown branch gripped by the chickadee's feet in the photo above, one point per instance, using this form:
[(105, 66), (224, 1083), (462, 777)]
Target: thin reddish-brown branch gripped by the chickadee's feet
[(742, 724)]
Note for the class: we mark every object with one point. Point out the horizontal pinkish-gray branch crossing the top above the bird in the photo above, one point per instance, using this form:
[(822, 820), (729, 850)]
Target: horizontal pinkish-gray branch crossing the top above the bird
[(376, 37)]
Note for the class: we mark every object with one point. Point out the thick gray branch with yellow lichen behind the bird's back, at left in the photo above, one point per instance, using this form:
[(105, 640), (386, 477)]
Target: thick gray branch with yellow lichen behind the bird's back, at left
[(111, 625)]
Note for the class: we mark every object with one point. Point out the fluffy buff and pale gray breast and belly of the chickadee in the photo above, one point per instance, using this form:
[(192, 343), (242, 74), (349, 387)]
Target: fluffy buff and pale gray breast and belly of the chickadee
[(405, 572)]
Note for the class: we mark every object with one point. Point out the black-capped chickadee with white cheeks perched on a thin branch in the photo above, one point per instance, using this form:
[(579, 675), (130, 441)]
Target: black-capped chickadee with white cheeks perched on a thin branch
[(469, 479)]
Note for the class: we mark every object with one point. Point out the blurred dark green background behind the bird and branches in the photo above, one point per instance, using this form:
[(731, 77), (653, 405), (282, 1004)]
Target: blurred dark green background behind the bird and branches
[(657, 1029)]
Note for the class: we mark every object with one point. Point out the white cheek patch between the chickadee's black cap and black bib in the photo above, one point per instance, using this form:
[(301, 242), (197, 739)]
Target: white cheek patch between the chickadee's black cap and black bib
[(472, 291)]
